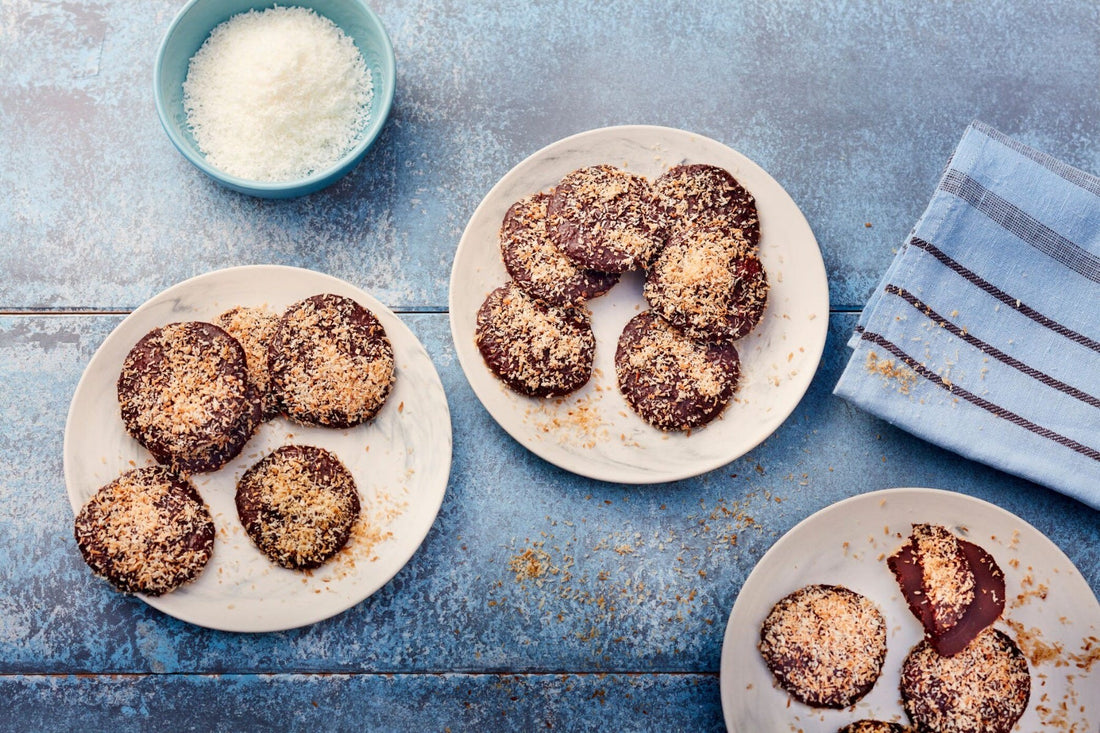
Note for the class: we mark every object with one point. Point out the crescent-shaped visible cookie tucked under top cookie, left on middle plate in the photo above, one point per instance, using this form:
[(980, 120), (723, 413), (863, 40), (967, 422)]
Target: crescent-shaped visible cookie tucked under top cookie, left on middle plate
[(537, 266)]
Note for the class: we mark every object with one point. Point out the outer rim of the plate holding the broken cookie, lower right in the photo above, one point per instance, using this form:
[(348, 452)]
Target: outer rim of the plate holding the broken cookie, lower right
[(778, 548)]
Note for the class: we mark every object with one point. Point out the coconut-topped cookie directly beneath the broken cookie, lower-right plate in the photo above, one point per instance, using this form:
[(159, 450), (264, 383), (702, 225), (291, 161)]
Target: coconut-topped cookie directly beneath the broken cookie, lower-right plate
[(983, 690)]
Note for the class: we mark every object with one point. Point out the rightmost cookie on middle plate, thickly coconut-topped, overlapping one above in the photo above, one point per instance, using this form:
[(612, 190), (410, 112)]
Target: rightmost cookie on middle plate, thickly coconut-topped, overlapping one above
[(710, 283)]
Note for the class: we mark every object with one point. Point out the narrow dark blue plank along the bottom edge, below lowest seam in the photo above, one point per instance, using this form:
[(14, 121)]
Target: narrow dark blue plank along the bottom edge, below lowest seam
[(400, 703)]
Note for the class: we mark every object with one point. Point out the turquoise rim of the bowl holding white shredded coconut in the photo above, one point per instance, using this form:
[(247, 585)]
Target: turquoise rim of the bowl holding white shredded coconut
[(381, 103)]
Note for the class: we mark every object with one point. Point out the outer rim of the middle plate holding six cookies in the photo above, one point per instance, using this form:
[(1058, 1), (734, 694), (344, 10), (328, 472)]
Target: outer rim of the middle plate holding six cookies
[(816, 349)]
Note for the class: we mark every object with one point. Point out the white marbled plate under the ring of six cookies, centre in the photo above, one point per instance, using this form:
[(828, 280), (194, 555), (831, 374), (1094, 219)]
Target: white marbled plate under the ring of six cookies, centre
[(593, 432)]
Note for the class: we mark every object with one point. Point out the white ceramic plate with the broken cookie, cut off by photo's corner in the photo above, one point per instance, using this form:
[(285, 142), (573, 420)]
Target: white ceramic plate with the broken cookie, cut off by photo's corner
[(848, 544)]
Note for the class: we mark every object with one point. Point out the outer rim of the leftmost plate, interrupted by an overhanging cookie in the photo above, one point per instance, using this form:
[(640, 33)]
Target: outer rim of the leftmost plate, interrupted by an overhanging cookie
[(433, 508)]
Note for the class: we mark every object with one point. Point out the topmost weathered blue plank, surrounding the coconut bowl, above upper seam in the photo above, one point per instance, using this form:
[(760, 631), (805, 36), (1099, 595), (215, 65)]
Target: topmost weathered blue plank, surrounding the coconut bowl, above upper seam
[(853, 107)]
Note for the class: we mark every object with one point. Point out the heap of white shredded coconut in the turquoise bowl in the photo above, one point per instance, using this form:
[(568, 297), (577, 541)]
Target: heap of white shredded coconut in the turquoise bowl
[(277, 95)]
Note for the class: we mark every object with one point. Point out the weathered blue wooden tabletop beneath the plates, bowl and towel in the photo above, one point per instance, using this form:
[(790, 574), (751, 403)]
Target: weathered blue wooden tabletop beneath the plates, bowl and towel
[(853, 107)]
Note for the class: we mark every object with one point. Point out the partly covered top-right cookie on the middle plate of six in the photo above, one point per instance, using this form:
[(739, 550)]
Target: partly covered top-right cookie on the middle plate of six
[(701, 195)]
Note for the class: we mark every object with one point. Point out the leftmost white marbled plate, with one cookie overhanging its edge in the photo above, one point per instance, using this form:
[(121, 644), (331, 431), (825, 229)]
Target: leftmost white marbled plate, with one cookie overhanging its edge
[(401, 462)]
